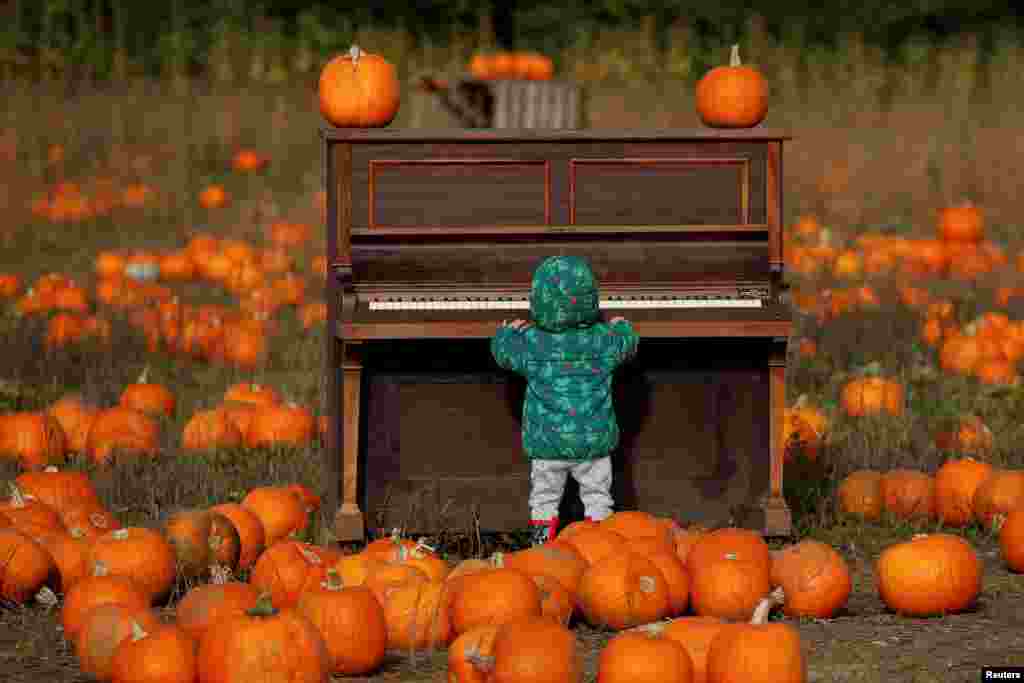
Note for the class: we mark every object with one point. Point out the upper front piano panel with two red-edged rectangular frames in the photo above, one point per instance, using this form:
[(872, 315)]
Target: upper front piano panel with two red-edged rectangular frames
[(464, 185)]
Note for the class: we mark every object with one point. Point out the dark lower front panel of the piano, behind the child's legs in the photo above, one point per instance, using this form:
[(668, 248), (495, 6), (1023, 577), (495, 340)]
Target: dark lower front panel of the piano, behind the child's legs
[(443, 430)]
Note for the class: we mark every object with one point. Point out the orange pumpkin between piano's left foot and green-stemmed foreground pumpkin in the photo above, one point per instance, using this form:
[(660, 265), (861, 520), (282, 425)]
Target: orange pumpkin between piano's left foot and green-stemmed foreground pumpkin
[(288, 569)]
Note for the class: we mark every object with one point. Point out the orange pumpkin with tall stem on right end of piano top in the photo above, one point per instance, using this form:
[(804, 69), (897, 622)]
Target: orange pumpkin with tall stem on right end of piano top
[(733, 97)]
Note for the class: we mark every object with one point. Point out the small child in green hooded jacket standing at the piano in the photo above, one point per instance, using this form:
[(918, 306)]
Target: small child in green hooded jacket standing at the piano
[(569, 359)]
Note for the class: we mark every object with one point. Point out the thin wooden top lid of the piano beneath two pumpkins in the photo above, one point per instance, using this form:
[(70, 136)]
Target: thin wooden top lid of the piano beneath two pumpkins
[(331, 134)]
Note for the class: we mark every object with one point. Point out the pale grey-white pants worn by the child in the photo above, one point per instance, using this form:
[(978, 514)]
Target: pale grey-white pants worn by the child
[(547, 484)]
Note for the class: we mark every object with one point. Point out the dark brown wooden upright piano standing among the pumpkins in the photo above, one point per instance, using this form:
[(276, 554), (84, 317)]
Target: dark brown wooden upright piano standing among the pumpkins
[(433, 240)]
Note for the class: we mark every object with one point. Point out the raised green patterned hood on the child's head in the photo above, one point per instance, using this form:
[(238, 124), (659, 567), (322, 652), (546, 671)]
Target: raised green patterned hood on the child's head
[(565, 294)]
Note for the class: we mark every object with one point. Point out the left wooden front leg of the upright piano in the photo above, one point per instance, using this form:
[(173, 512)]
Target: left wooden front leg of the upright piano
[(349, 522)]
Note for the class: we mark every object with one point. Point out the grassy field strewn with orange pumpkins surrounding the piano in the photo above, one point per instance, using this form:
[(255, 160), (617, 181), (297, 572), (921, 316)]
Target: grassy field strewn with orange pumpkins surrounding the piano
[(162, 379)]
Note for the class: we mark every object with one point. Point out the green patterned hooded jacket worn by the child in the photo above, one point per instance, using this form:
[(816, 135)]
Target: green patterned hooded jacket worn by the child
[(569, 357)]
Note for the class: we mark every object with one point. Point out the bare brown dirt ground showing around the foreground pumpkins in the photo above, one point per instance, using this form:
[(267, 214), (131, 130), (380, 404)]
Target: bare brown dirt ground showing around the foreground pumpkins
[(865, 644)]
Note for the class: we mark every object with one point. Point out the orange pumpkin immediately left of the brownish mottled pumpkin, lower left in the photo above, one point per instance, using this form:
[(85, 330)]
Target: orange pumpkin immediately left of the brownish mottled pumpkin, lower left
[(142, 554)]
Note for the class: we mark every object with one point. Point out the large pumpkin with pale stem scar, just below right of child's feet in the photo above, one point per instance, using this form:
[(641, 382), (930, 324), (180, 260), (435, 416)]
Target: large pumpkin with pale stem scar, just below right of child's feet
[(623, 590)]
